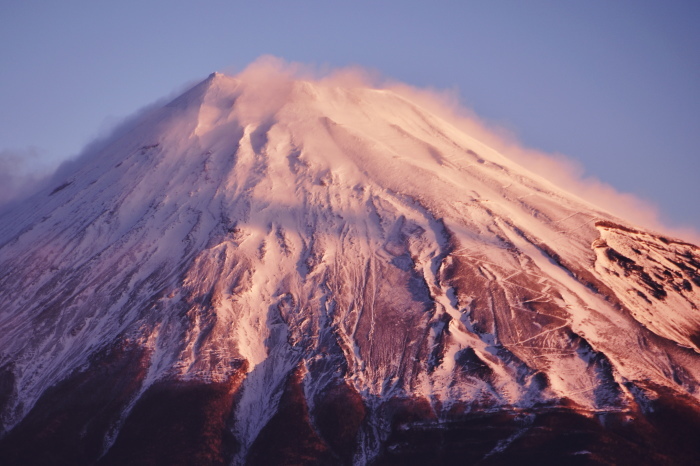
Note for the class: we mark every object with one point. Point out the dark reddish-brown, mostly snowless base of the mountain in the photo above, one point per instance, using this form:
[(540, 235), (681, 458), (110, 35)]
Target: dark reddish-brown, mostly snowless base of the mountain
[(186, 423)]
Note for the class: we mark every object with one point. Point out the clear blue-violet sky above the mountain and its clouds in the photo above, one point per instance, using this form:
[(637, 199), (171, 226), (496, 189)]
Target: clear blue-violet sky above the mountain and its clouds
[(614, 85)]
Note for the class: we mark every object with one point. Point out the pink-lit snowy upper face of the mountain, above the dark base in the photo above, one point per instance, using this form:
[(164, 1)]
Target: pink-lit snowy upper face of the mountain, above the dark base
[(339, 234)]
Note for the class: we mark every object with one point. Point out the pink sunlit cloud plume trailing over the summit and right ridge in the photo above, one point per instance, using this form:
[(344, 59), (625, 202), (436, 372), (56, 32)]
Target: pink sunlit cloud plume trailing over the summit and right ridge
[(273, 78)]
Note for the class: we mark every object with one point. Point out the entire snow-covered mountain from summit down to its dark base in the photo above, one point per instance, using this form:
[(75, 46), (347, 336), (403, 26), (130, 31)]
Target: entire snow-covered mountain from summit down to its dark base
[(294, 272)]
